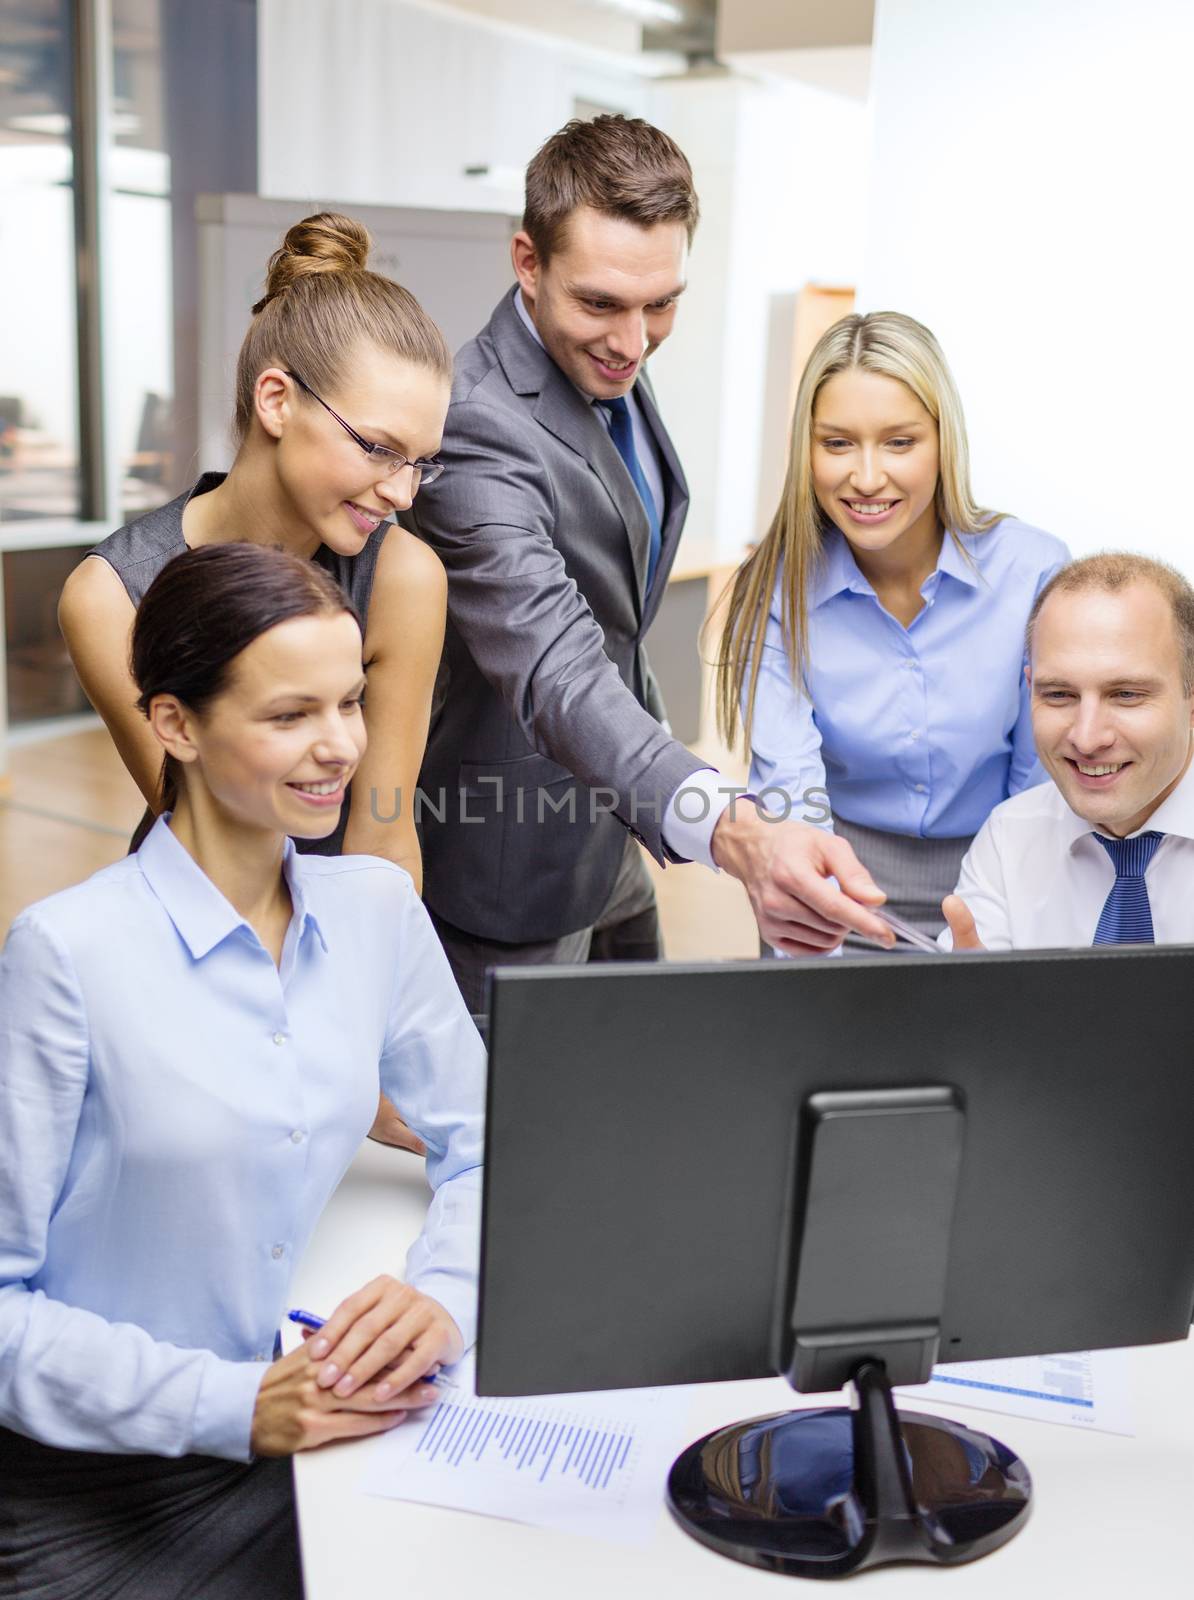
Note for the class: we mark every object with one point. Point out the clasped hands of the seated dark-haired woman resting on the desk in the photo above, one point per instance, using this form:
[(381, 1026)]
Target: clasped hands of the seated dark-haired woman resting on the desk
[(326, 1391)]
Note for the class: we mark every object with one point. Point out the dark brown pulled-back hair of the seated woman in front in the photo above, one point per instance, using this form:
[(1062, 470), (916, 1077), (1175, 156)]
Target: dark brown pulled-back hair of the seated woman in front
[(204, 609)]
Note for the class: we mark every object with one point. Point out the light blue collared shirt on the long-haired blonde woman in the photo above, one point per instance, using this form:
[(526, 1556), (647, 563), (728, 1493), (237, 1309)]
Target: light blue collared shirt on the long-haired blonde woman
[(915, 730)]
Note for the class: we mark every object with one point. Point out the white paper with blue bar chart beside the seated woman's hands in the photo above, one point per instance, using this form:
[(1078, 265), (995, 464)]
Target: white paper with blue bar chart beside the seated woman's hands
[(593, 1463)]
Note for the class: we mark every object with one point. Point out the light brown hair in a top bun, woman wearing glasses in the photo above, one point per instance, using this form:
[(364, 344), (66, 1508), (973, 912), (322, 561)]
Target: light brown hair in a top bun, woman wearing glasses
[(319, 303)]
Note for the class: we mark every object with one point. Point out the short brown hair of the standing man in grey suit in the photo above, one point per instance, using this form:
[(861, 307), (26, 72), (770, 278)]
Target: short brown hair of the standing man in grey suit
[(619, 166)]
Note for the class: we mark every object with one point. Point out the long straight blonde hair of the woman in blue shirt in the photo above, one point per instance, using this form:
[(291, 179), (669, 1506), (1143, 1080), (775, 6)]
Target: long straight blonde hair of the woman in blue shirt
[(883, 342)]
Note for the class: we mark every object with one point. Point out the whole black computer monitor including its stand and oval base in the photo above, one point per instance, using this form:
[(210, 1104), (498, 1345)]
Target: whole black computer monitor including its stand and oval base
[(836, 1170)]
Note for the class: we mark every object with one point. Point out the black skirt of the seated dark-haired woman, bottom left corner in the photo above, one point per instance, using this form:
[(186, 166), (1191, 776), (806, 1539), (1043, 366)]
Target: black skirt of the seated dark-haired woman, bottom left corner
[(79, 1526)]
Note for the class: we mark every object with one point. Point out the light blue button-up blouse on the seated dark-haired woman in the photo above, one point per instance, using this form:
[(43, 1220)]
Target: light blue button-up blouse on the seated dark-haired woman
[(175, 1114)]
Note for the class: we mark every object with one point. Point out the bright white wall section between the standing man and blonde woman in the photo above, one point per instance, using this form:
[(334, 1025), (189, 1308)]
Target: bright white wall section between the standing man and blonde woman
[(779, 170)]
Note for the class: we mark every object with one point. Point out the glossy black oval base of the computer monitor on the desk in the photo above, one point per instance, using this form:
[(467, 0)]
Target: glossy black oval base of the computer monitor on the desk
[(828, 1492)]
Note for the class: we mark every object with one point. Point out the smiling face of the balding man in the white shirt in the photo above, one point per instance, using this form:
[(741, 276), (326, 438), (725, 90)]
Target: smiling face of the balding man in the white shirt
[(1110, 713)]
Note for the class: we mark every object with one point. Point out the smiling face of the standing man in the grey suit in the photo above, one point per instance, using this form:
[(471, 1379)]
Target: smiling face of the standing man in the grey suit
[(607, 297)]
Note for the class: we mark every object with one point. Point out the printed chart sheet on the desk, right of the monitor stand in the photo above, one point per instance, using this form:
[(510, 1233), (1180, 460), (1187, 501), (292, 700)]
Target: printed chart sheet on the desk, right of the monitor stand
[(1083, 1388)]
